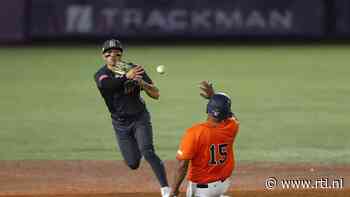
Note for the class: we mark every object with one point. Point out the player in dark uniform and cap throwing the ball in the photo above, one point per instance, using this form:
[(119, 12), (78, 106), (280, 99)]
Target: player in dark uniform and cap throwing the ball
[(120, 84)]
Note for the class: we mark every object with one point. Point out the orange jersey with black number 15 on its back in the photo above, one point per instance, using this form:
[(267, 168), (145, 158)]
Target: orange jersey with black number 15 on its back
[(210, 150)]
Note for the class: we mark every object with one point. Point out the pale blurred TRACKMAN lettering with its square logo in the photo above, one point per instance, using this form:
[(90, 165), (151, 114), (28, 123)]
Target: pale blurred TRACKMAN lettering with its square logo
[(84, 19)]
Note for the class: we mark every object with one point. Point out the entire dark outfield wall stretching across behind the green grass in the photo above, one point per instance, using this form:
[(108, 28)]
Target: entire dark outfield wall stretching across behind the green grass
[(47, 19)]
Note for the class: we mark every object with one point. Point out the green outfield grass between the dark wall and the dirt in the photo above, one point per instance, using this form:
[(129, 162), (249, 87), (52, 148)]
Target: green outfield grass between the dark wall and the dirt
[(292, 101)]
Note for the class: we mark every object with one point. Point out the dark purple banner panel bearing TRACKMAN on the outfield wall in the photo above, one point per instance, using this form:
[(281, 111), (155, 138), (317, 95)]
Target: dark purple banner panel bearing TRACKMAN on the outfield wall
[(179, 18)]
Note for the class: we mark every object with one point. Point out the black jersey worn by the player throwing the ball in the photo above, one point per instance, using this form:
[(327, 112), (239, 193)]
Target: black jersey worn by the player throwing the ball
[(111, 87)]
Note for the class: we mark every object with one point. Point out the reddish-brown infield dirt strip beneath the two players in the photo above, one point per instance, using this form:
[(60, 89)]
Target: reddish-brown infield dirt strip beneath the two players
[(113, 178)]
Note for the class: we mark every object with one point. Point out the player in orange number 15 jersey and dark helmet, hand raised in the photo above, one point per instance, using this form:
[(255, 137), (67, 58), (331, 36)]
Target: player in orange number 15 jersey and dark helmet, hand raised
[(206, 149)]
